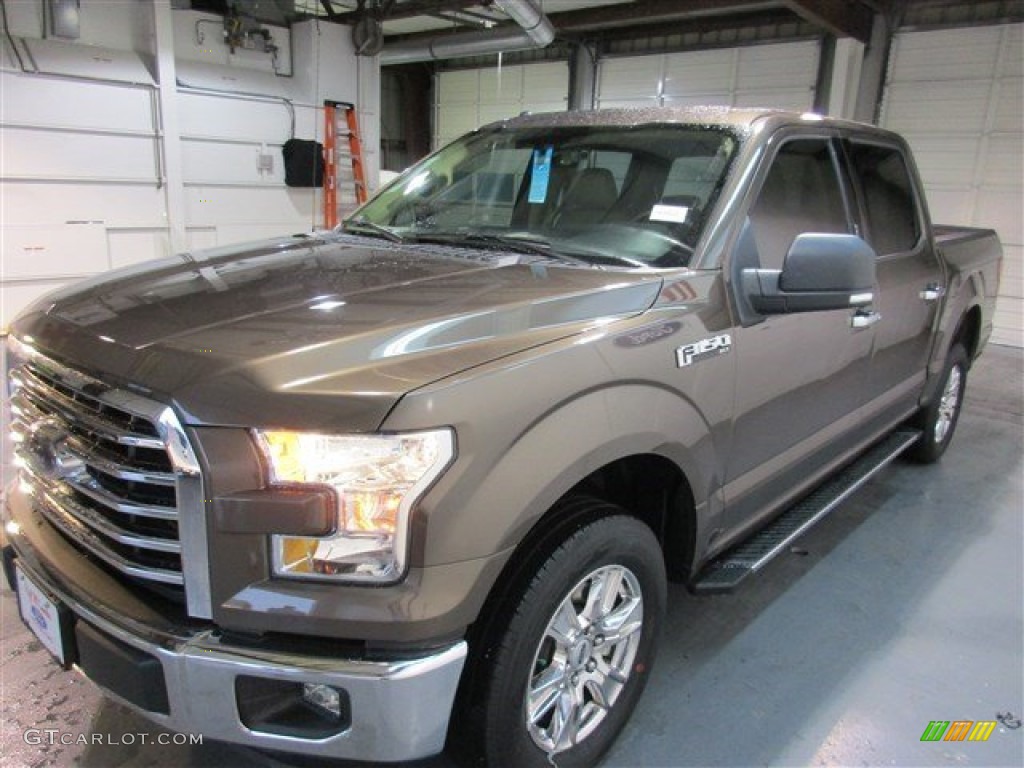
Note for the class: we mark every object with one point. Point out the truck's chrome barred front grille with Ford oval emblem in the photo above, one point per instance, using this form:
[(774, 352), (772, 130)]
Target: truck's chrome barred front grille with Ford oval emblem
[(109, 470)]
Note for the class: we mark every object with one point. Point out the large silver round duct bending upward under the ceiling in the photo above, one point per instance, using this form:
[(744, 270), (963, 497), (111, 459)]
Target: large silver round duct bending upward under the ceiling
[(536, 31)]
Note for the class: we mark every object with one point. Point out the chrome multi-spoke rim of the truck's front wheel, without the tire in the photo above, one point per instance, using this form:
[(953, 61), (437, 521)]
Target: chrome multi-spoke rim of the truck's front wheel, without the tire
[(585, 659)]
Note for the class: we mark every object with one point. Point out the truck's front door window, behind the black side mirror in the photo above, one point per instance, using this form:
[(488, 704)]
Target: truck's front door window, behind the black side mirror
[(801, 194)]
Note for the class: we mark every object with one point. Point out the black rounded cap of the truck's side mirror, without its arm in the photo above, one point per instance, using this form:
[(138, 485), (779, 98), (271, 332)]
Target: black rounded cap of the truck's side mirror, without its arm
[(824, 264)]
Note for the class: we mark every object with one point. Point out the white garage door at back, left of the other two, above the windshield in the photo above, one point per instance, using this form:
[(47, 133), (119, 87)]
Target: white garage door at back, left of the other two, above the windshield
[(468, 99)]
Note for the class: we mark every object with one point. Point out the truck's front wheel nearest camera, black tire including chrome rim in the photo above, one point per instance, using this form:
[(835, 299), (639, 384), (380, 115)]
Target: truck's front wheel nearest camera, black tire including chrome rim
[(578, 651)]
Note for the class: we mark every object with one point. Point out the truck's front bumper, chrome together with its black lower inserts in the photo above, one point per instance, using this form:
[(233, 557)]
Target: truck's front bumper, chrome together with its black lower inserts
[(393, 711)]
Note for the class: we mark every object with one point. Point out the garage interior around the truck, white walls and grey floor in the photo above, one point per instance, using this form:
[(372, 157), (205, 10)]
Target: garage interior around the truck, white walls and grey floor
[(140, 131)]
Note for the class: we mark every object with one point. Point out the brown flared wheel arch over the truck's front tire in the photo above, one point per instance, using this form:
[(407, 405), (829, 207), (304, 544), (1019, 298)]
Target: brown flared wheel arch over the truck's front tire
[(503, 487)]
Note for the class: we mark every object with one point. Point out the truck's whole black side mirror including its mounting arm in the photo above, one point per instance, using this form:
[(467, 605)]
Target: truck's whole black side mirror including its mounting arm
[(821, 272)]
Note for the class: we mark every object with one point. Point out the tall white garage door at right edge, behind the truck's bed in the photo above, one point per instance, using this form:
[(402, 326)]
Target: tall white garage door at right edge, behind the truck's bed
[(957, 96)]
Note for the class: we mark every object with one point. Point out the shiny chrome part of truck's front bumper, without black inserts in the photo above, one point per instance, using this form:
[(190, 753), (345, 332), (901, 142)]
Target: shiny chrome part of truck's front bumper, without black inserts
[(399, 710)]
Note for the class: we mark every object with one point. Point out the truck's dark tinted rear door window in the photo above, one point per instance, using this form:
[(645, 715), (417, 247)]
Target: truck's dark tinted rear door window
[(885, 184)]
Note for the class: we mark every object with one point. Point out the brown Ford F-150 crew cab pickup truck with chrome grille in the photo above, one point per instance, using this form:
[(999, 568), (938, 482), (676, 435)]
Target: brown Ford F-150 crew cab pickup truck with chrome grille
[(422, 480)]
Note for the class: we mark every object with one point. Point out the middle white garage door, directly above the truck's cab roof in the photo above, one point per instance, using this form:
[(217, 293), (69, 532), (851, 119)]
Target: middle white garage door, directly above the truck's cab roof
[(779, 75)]
